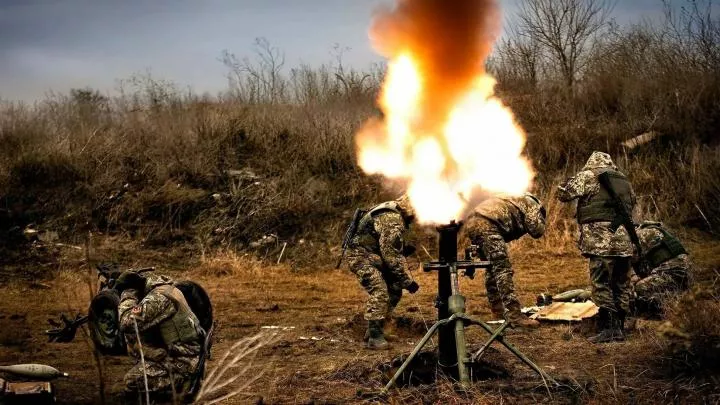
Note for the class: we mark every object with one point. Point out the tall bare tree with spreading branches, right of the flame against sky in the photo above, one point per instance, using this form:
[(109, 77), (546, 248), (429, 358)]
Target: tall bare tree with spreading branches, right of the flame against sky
[(566, 29)]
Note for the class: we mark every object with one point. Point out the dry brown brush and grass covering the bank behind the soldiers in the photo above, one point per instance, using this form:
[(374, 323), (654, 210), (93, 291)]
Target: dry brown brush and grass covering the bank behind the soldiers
[(275, 155)]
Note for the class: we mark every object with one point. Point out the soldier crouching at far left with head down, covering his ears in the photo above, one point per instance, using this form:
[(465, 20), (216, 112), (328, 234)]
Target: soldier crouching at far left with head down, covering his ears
[(170, 333)]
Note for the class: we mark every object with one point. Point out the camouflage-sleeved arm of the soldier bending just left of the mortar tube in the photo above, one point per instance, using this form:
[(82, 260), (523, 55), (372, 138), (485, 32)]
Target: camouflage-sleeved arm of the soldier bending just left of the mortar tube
[(390, 227)]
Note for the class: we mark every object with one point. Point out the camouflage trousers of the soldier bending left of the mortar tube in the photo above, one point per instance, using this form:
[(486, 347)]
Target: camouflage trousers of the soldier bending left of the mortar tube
[(384, 291)]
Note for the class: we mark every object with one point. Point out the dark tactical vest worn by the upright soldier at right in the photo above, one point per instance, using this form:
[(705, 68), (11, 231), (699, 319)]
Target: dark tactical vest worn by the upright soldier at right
[(600, 207)]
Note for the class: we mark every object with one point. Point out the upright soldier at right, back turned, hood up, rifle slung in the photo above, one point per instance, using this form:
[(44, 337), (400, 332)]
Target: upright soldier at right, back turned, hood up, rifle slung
[(606, 244)]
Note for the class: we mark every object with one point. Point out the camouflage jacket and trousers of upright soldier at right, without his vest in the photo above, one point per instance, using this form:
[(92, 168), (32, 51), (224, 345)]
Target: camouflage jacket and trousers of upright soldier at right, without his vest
[(609, 251)]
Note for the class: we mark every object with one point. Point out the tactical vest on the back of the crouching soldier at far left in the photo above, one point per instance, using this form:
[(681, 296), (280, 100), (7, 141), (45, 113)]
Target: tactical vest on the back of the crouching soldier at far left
[(183, 327)]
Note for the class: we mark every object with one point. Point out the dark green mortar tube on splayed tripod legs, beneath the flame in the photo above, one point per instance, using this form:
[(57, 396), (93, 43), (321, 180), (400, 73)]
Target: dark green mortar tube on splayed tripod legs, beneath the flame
[(451, 315)]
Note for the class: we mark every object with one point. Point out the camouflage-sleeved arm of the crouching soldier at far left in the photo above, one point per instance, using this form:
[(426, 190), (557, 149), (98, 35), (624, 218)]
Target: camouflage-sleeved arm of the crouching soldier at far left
[(148, 312)]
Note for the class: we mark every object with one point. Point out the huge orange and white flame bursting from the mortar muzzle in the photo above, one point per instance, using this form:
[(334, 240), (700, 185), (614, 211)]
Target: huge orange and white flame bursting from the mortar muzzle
[(444, 131)]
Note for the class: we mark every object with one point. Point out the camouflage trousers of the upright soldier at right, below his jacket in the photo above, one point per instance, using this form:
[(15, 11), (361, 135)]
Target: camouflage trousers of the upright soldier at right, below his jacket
[(609, 278)]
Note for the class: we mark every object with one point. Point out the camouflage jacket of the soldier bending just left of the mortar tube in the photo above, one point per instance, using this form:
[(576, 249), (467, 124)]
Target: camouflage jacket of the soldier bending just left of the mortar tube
[(385, 237)]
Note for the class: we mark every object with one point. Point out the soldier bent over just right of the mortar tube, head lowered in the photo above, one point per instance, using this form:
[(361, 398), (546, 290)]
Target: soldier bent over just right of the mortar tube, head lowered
[(492, 224)]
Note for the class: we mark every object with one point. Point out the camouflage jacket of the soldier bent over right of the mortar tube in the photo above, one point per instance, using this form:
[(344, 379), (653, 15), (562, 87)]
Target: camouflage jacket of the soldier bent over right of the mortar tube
[(511, 217)]
